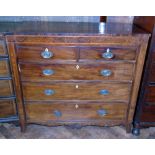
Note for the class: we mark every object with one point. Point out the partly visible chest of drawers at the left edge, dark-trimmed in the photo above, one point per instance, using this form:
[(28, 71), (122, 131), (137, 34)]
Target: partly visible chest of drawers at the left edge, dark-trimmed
[(8, 110)]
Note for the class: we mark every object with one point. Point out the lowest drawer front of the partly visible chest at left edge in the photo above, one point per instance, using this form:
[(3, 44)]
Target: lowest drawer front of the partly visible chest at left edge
[(7, 108)]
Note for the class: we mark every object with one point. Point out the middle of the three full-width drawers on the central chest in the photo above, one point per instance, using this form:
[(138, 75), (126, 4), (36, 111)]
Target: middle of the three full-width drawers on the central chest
[(76, 91)]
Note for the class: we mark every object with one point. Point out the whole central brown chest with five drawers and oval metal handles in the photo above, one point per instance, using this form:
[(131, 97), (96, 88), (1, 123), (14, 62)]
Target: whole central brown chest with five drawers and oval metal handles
[(73, 73)]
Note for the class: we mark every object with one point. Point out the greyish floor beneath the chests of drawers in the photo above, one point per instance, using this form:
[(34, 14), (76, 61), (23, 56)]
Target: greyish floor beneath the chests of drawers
[(10, 131)]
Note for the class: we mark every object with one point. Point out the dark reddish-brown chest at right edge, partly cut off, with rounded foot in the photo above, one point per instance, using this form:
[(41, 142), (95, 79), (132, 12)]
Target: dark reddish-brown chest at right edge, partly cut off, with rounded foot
[(145, 111)]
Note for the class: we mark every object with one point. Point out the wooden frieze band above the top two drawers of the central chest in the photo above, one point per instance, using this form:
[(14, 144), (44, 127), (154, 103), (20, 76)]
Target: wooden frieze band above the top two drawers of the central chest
[(77, 39)]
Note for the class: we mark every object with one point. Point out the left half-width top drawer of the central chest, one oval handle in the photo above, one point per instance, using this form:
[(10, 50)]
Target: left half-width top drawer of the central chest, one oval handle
[(45, 53)]
